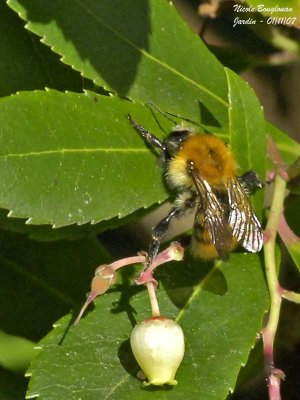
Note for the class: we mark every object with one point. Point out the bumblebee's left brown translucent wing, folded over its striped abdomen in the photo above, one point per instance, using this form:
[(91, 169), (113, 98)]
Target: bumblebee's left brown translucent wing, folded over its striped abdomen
[(212, 215)]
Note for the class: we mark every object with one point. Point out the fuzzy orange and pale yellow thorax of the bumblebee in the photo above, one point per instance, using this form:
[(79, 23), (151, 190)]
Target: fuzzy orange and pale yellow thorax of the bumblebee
[(212, 159)]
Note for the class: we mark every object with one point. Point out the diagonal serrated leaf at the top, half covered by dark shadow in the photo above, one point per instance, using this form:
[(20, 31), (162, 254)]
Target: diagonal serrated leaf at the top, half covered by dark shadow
[(141, 50)]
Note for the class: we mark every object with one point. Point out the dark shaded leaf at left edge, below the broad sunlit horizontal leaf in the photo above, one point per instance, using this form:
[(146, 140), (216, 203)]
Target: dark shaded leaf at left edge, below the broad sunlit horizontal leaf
[(40, 282)]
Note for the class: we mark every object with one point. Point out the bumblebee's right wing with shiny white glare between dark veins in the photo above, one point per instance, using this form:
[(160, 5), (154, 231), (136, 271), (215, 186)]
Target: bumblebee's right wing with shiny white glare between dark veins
[(245, 226)]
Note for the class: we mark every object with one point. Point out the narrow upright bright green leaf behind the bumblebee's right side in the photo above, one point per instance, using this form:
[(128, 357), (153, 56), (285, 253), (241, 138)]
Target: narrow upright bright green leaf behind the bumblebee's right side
[(247, 129)]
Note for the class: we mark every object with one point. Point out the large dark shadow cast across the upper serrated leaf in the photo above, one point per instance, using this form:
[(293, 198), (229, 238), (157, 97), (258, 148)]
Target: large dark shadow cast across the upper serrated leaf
[(110, 39)]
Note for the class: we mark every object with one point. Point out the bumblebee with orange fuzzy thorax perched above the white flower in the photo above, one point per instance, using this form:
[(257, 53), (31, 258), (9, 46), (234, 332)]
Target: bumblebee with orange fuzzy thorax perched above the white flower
[(202, 171)]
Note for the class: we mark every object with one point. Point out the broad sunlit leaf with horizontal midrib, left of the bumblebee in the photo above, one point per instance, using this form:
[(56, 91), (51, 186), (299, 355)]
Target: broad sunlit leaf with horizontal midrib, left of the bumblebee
[(74, 158)]
